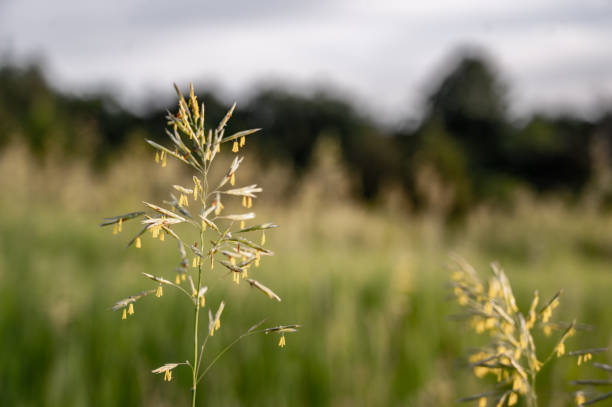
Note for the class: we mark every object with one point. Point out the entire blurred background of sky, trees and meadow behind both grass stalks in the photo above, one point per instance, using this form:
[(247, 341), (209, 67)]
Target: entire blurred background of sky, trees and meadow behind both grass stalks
[(394, 136)]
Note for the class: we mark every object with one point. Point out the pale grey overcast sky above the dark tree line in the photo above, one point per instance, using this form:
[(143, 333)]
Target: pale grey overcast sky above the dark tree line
[(553, 54)]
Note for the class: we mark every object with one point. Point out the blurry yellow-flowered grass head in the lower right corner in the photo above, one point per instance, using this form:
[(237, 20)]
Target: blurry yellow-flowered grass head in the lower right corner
[(512, 355)]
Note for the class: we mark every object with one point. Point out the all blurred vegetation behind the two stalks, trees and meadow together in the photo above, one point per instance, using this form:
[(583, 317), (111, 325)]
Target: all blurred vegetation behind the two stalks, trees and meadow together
[(369, 215)]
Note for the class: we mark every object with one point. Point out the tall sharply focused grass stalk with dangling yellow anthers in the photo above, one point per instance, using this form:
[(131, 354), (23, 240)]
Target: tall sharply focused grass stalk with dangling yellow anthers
[(224, 239)]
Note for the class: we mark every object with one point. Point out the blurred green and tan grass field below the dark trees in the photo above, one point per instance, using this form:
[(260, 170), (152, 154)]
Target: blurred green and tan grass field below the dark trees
[(367, 285)]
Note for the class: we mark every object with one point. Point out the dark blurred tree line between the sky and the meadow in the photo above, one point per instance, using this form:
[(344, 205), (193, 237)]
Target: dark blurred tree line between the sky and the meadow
[(465, 140)]
